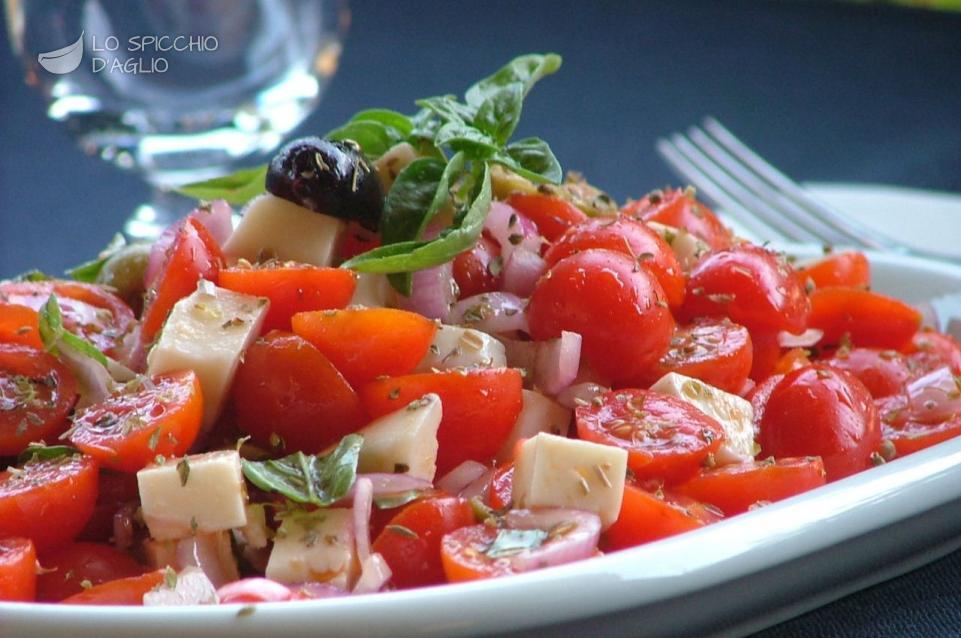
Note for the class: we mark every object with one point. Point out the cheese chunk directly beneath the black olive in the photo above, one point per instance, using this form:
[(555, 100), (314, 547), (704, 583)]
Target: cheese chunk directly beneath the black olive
[(272, 227)]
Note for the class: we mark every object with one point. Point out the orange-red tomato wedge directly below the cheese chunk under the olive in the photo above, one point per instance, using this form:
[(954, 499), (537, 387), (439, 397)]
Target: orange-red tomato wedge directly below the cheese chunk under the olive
[(291, 288)]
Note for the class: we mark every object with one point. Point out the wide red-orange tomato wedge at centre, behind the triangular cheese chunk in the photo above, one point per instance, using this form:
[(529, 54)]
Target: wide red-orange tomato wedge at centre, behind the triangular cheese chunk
[(480, 408)]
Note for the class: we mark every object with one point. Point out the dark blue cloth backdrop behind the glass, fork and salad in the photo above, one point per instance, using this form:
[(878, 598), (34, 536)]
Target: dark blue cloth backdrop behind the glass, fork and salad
[(828, 91)]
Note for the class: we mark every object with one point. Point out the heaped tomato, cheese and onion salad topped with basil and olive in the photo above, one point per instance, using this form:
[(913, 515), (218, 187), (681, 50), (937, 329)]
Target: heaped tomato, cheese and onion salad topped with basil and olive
[(421, 356)]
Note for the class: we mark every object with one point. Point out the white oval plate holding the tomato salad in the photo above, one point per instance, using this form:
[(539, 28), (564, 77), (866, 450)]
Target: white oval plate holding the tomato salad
[(738, 575)]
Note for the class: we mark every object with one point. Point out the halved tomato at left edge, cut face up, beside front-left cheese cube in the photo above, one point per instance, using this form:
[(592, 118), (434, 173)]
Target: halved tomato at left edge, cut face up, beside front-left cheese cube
[(48, 501)]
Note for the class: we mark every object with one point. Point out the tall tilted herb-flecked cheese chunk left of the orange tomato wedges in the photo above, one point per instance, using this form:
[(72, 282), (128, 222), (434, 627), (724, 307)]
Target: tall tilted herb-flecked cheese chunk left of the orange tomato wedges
[(208, 332)]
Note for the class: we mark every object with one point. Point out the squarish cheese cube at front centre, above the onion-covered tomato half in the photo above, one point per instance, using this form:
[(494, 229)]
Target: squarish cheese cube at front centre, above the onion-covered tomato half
[(554, 471)]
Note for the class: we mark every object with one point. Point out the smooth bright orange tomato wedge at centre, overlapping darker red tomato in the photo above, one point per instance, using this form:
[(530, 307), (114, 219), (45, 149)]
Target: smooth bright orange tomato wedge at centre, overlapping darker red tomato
[(365, 343)]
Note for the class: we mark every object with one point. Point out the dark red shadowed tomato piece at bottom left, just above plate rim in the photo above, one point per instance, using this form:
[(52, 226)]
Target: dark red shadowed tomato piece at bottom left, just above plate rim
[(74, 563)]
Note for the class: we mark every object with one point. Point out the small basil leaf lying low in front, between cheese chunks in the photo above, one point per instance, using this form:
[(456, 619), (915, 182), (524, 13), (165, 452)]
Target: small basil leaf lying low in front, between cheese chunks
[(303, 478)]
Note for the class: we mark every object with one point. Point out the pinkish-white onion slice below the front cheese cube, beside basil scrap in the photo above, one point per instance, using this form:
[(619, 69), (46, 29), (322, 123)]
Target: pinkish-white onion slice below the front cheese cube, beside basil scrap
[(573, 535)]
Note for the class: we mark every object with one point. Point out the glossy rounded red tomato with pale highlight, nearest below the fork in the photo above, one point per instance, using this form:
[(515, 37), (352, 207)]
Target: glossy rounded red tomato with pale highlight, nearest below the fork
[(752, 286)]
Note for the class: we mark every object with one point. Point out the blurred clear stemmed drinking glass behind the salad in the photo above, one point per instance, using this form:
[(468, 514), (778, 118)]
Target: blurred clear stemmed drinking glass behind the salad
[(177, 90)]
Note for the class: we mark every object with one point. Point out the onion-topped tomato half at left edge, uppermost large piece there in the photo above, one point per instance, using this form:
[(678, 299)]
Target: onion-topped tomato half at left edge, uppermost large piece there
[(88, 311)]
